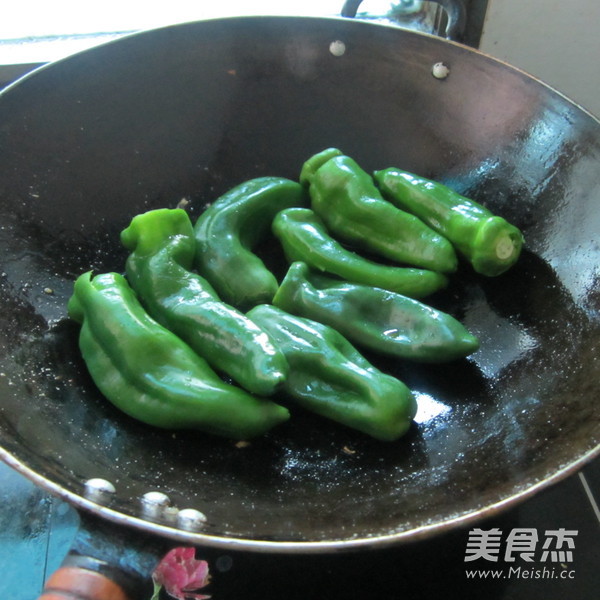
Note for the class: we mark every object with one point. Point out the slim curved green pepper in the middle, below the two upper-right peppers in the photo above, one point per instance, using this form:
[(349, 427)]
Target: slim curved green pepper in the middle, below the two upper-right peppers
[(305, 238)]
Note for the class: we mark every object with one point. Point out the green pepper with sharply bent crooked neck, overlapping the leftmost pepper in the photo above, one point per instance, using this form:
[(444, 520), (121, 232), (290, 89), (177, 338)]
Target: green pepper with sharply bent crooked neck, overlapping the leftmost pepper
[(159, 269)]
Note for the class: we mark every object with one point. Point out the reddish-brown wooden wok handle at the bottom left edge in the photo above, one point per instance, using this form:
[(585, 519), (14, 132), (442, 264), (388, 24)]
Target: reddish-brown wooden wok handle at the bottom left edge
[(76, 583)]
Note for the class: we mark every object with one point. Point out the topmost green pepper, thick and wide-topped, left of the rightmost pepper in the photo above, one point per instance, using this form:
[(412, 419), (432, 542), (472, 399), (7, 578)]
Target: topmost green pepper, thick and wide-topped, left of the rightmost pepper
[(354, 211)]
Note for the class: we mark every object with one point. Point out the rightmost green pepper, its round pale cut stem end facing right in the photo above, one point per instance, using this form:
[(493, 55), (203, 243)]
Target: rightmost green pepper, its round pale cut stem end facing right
[(489, 242)]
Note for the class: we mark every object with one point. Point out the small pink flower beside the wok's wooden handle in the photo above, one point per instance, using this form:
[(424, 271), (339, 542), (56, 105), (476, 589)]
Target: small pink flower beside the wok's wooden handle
[(180, 574)]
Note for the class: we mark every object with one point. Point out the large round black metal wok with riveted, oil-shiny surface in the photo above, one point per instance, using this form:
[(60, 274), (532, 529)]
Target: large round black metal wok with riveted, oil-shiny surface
[(188, 111)]
